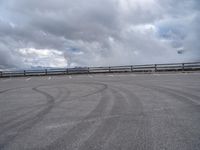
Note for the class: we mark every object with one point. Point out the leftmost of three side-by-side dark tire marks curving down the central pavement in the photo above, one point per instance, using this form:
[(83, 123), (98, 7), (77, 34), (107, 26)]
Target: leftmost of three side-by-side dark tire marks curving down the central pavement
[(79, 133)]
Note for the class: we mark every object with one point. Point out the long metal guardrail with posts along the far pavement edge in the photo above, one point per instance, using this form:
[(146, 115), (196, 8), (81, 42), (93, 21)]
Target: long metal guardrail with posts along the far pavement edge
[(195, 66)]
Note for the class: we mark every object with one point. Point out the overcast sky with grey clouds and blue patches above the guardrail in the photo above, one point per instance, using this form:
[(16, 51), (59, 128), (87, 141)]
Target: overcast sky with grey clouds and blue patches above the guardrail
[(70, 33)]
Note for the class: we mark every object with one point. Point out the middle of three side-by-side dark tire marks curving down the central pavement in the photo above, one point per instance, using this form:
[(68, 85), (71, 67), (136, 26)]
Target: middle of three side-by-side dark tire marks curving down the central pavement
[(108, 125)]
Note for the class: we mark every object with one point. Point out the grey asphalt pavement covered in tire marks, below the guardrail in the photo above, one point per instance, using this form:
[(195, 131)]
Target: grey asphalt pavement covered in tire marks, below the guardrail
[(101, 112)]
